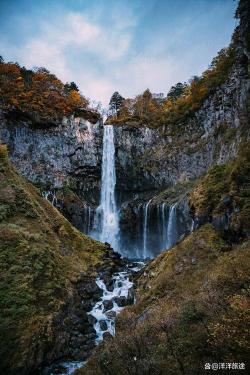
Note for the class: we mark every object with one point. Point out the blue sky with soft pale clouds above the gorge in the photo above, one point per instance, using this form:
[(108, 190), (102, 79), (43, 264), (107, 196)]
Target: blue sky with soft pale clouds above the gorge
[(116, 45)]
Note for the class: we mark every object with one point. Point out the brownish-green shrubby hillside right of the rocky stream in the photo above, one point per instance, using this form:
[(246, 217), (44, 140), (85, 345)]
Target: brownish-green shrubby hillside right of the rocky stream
[(192, 301)]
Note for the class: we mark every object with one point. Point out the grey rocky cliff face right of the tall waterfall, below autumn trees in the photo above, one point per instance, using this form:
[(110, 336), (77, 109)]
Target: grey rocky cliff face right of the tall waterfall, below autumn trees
[(151, 159)]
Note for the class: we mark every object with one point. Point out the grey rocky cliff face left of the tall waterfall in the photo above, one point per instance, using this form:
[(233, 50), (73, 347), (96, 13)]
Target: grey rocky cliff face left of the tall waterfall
[(66, 155)]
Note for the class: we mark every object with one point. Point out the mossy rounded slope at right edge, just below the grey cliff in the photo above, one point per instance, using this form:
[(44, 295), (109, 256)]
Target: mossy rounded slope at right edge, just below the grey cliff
[(223, 195)]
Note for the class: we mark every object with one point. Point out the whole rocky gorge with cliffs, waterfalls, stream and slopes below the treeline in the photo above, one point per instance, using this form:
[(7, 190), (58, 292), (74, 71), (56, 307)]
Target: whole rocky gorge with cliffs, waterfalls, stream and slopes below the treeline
[(84, 199)]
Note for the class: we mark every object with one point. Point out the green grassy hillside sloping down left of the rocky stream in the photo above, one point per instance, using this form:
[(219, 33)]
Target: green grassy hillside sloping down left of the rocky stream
[(41, 256)]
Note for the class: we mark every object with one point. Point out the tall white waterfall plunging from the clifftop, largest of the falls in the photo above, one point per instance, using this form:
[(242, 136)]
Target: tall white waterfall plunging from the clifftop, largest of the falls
[(106, 218)]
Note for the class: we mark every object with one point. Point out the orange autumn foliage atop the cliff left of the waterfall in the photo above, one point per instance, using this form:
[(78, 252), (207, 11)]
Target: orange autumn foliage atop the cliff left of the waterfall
[(37, 93)]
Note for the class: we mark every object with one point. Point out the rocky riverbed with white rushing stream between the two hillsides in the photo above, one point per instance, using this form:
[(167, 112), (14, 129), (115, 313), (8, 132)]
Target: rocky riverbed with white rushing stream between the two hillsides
[(109, 295)]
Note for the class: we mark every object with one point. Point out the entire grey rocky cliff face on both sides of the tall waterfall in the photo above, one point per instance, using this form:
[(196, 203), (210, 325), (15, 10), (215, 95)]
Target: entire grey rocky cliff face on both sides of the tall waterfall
[(148, 160)]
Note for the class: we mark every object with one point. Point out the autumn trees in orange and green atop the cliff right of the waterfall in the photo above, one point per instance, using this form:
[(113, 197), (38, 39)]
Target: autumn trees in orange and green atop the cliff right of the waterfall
[(182, 100)]
